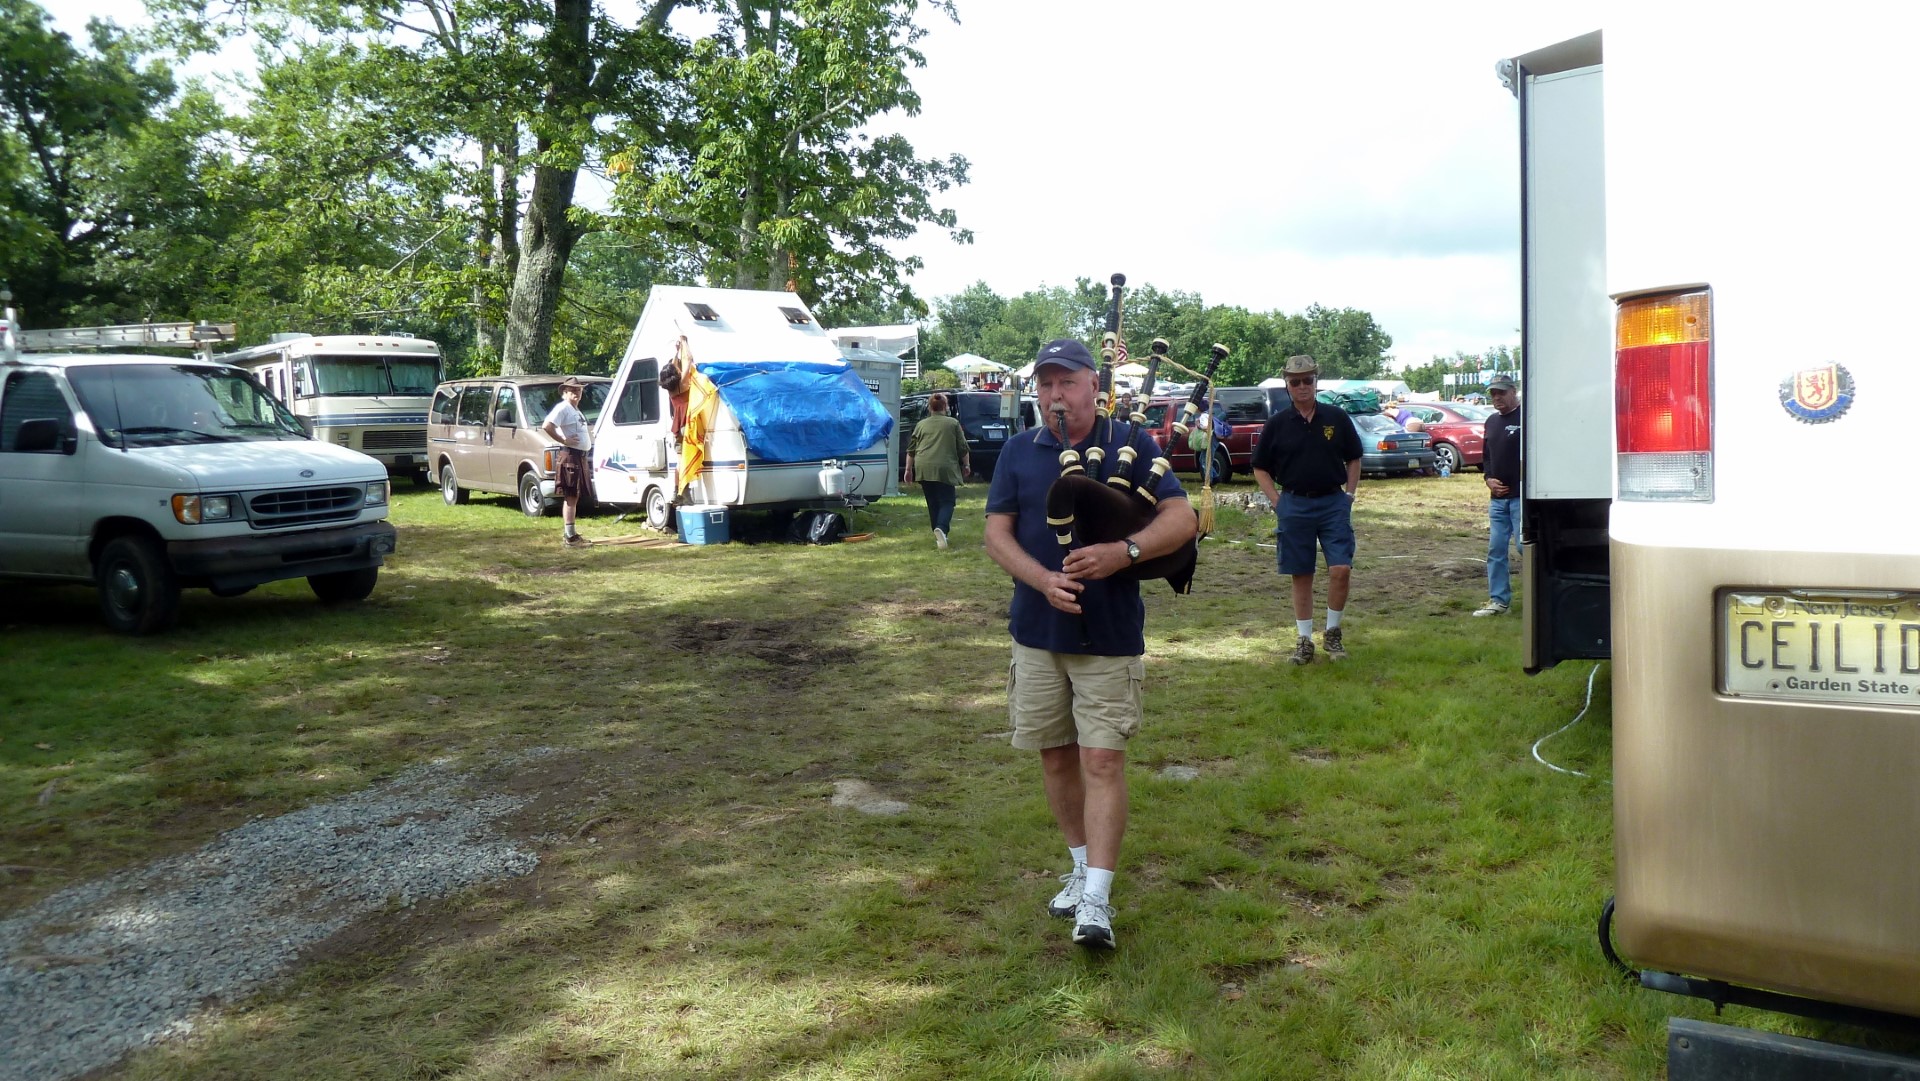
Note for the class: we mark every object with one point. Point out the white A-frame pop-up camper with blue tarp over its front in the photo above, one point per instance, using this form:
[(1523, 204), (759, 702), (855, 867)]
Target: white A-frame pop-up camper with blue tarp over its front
[(792, 425)]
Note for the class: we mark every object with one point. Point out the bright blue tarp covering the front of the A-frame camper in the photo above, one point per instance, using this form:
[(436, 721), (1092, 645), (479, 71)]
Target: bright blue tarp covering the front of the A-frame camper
[(802, 410)]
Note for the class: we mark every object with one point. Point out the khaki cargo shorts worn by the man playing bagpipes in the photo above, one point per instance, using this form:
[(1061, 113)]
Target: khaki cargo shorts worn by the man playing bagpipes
[(1070, 698)]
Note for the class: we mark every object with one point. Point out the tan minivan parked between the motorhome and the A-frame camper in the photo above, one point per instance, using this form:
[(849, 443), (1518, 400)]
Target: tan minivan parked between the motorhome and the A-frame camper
[(483, 435)]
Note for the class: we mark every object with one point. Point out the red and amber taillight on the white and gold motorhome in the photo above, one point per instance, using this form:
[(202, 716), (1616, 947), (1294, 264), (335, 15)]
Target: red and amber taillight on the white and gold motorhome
[(1664, 396)]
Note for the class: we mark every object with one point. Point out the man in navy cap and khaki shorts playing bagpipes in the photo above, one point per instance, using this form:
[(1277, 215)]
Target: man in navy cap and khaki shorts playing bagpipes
[(1080, 635)]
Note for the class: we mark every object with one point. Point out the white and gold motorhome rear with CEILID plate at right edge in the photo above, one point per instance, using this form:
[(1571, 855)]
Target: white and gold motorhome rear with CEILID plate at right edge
[(1719, 237)]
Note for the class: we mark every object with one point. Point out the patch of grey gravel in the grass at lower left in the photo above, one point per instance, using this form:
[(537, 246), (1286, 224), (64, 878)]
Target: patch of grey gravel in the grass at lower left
[(107, 967)]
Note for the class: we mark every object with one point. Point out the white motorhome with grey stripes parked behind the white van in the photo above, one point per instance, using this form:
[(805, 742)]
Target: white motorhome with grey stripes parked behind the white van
[(368, 393)]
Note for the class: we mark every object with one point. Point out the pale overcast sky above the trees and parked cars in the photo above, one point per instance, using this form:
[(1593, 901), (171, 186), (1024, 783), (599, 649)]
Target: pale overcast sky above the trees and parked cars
[(1264, 155)]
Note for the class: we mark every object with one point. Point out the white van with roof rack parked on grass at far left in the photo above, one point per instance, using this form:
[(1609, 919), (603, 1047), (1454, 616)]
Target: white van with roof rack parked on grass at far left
[(149, 475)]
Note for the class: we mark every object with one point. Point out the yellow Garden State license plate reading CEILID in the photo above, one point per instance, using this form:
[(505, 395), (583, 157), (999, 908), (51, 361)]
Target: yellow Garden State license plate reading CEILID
[(1812, 646)]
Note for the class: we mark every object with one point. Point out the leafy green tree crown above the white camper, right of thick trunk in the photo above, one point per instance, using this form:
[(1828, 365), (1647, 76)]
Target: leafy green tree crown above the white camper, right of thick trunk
[(777, 180)]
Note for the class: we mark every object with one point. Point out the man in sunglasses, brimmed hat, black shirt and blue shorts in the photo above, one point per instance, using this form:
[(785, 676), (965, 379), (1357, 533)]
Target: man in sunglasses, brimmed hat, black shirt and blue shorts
[(1312, 454)]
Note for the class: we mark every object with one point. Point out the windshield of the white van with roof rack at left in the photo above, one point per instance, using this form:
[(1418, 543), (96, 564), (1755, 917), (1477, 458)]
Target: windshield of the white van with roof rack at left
[(155, 406)]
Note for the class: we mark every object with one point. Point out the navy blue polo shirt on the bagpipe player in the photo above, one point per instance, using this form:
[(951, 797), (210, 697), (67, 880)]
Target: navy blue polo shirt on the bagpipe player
[(1115, 623)]
